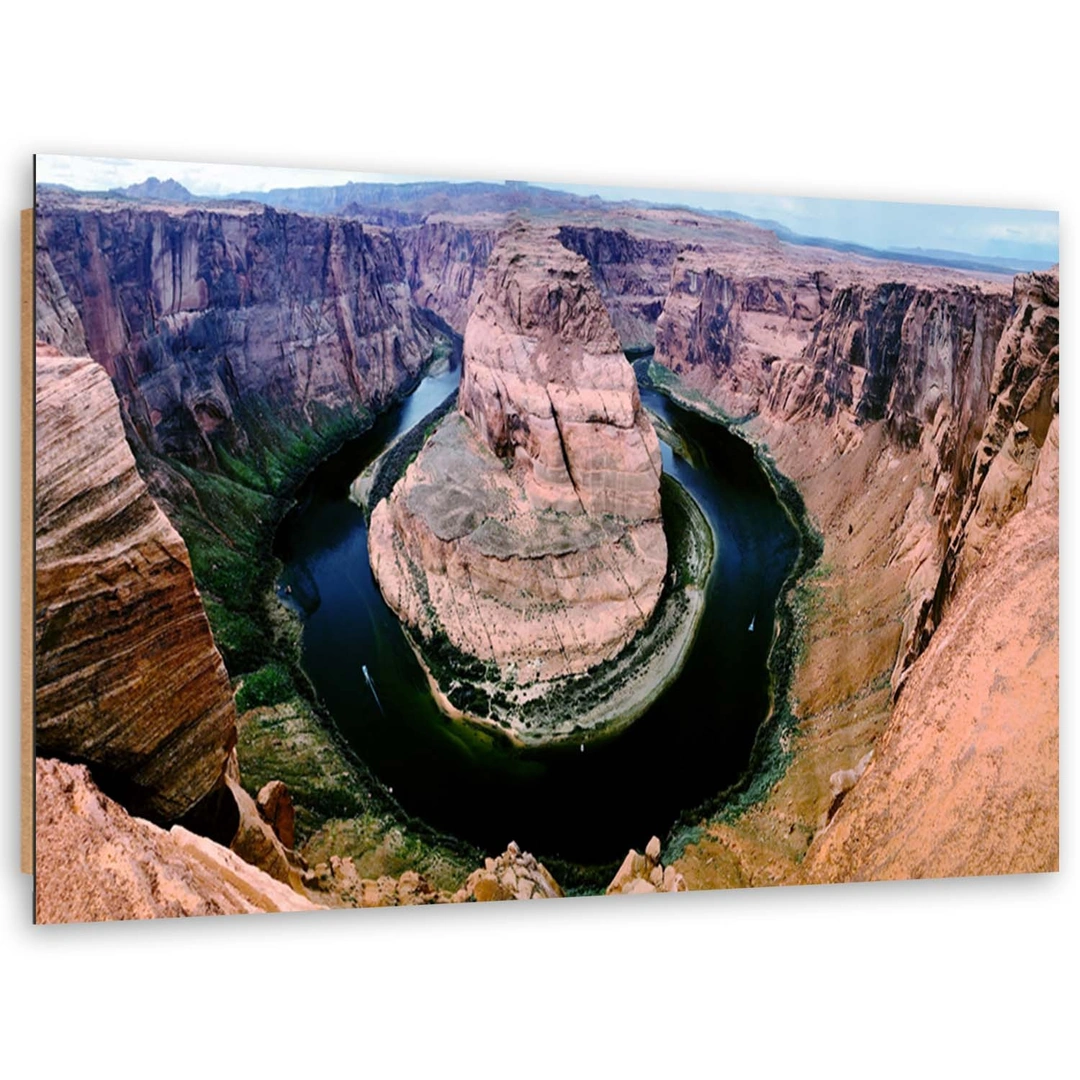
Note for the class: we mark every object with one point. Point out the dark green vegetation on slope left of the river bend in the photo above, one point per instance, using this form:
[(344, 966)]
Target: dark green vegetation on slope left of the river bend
[(228, 520)]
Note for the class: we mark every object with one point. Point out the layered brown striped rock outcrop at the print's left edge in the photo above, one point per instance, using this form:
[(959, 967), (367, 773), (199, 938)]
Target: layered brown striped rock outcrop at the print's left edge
[(129, 680)]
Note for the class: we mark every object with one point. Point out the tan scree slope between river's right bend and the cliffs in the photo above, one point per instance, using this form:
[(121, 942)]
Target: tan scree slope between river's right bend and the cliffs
[(846, 622)]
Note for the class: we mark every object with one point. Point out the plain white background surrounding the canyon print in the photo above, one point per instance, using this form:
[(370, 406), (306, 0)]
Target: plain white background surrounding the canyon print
[(907, 101)]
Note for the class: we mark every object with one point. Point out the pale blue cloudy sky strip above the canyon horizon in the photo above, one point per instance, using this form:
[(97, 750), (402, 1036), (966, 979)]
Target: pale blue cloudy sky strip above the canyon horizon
[(1028, 235)]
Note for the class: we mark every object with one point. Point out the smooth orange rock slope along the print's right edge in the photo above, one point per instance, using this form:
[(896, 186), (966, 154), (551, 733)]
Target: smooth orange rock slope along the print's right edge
[(965, 779)]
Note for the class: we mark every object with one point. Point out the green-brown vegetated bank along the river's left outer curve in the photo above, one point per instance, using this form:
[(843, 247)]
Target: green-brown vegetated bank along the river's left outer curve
[(285, 732)]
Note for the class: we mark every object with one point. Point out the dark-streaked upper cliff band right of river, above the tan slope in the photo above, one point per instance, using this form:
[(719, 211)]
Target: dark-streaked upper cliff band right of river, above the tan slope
[(801, 348)]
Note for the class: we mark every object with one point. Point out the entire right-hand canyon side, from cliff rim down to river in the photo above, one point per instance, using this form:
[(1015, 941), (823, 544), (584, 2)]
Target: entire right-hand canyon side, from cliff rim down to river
[(920, 420)]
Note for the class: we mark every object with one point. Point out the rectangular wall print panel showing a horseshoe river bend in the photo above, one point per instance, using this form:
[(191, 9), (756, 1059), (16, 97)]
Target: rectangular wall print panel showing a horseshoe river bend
[(439, 543)]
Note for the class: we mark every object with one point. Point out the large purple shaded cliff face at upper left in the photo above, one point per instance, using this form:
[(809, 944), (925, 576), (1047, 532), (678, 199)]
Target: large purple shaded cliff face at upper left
[(219, 327)]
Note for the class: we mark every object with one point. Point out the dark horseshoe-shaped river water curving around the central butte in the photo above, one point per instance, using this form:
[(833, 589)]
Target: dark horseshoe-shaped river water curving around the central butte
[(584, 807)]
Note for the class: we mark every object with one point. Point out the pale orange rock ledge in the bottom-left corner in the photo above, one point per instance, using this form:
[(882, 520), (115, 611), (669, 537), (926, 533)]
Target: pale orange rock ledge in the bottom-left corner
[(96, 862)]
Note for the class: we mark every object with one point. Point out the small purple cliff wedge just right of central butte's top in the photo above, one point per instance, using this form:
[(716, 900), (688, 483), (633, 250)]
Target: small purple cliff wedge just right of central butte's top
[(632, 275)]
